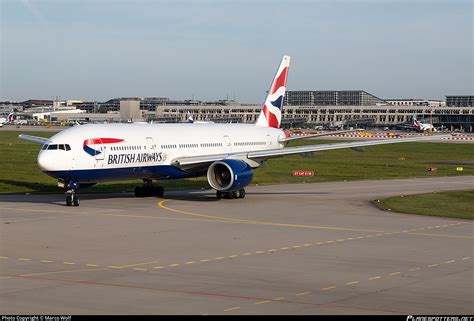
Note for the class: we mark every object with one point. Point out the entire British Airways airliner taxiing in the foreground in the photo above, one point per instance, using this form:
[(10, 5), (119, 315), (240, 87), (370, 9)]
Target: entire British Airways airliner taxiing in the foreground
[(226, 153)]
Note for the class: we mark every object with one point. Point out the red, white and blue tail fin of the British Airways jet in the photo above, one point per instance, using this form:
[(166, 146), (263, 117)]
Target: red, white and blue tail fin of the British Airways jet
[(270, 116)]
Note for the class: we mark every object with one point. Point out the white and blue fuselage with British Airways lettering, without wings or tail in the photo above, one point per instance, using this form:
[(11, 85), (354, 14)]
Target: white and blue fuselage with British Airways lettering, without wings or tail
[(101, 152)]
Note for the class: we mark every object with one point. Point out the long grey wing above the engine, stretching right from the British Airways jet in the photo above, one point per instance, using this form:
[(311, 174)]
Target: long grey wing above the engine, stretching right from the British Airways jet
[(254, 158)]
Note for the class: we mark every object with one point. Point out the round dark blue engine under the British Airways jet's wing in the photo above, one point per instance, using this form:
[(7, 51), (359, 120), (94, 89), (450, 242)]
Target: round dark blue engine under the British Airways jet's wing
[(229, 175)]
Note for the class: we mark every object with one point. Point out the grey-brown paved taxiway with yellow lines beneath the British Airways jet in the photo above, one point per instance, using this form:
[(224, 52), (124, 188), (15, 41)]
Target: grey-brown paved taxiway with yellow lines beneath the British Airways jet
[(287, 249)]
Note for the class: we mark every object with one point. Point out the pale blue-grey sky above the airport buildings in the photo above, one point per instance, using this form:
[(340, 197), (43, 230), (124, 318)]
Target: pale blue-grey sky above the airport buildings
[(211, 50)]
